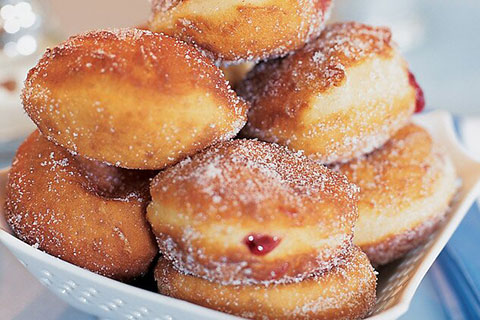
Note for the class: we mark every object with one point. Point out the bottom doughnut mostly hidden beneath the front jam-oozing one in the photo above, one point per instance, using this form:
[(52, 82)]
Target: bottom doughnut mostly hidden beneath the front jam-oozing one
[(345, 292)]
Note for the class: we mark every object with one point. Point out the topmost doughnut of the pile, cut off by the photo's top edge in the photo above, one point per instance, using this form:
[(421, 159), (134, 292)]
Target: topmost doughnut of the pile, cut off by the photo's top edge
[(237, 30)]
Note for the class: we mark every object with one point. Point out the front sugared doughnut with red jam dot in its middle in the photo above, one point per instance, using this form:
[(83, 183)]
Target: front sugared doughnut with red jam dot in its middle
[(246, 211)]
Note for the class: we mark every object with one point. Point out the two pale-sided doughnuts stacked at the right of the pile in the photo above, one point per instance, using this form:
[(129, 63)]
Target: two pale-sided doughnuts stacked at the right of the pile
[(346, 100)]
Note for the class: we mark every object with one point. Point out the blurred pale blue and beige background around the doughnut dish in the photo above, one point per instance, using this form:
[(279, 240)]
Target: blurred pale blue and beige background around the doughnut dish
[(440, 39)]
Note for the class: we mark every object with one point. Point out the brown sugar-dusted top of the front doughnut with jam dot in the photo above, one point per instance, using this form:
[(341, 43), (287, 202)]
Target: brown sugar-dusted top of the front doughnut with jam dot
[(217, 173)]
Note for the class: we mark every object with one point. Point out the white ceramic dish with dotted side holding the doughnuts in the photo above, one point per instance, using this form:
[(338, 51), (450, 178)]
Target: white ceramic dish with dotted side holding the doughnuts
[(107, 298)]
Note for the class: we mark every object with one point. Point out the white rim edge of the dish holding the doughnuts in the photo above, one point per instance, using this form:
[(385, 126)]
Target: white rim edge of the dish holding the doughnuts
[(438, 123)]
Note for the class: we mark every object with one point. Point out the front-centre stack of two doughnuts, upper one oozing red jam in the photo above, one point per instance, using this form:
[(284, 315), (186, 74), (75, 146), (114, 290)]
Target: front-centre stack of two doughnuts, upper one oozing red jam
[(251, 221)]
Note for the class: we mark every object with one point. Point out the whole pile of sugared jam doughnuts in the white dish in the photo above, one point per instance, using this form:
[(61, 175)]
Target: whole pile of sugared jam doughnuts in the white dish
[(268, 202)]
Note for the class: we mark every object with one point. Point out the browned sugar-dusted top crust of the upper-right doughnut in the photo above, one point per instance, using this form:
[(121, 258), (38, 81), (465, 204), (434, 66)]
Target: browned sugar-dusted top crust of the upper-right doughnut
[(322, 63)]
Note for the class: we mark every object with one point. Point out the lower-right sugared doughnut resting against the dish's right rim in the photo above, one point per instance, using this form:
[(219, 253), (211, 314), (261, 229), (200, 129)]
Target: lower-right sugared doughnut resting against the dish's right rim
[(405, 190)]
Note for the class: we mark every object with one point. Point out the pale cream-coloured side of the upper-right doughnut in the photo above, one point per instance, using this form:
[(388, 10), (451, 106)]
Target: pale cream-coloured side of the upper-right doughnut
[(359, 103)]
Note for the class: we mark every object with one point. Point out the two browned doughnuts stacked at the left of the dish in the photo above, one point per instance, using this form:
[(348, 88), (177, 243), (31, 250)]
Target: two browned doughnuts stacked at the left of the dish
[(112, 108)]
